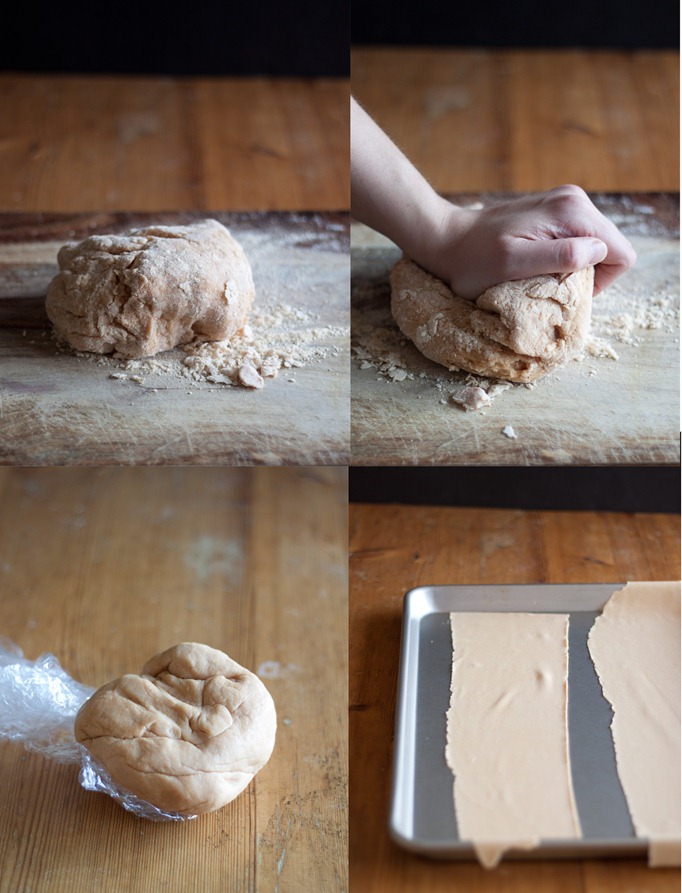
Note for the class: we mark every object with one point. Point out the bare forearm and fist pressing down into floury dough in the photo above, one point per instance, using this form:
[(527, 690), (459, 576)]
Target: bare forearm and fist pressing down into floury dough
[(559, 231)]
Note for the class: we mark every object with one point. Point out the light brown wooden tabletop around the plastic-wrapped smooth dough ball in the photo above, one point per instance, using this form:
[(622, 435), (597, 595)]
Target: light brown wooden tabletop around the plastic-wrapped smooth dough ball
[(106, 567)]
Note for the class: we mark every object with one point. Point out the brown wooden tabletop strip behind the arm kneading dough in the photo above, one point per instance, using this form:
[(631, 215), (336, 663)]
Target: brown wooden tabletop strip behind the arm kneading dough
[(526, 120)]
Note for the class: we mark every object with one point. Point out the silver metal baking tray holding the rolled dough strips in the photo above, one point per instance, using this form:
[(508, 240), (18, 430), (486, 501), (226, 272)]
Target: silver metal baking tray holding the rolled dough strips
[(422, 813)]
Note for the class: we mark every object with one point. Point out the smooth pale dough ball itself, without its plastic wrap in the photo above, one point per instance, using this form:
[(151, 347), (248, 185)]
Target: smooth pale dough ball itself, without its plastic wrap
[(187, 735)]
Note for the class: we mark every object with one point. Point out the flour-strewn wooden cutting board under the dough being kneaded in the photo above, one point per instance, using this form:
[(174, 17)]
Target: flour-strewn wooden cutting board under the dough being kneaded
[(601, 410)]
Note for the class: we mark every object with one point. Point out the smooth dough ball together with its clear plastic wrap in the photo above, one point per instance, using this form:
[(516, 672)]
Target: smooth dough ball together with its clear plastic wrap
[(183, 738)]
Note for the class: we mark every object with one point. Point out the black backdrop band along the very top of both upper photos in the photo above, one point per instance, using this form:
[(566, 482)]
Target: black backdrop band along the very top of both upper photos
[(304, 38)]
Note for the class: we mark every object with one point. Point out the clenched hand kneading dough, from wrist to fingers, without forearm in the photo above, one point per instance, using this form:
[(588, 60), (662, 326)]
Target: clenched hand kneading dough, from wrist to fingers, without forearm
[(559, 231)]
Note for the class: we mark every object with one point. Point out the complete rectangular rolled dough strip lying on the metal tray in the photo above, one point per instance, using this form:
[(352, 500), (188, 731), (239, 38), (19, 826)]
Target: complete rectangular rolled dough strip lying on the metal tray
[(507, 731)]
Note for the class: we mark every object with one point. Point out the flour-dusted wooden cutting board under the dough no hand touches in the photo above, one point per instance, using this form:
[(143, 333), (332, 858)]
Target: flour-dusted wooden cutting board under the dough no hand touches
[(57, 408)]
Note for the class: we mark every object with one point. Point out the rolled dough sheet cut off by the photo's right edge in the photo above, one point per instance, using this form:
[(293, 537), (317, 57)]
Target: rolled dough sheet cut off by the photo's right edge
[(635, 647)]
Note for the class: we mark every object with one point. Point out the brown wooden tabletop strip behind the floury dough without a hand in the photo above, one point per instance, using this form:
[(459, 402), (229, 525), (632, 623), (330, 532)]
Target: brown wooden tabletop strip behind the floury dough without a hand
[(94, 143)]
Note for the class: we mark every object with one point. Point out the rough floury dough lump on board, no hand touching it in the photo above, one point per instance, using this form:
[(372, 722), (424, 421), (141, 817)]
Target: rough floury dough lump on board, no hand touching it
[(148, 290)]
